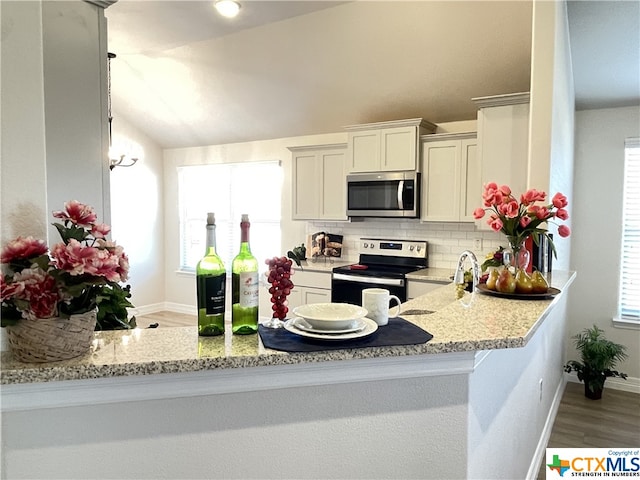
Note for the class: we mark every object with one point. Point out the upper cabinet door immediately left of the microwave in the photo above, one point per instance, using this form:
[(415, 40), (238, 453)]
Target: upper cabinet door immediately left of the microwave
[(333, 185)]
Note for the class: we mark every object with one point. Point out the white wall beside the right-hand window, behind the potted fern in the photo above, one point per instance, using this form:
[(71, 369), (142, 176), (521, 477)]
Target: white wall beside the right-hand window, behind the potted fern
[(596, 246)]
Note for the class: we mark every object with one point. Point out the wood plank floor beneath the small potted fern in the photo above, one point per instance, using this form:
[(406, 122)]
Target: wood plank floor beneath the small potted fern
[(613, 421)]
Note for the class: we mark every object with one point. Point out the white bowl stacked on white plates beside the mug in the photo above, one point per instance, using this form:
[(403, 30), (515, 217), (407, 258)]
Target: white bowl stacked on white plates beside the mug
[(331, 321)]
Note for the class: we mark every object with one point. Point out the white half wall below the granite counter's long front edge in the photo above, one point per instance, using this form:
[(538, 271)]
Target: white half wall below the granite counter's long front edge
[(408, 428)]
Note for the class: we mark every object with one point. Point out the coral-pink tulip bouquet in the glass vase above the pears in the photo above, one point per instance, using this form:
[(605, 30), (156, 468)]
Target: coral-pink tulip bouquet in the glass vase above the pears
[(519, 220)]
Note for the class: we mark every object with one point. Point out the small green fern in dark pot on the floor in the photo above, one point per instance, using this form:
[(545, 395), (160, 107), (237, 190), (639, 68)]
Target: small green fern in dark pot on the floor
[(599, 356)]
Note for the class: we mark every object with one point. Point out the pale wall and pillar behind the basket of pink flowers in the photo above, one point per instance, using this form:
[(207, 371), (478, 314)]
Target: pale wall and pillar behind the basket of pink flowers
[(53, 99)]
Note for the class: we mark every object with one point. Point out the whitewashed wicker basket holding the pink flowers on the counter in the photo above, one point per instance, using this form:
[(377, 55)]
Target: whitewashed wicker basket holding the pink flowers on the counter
[(52, 339)]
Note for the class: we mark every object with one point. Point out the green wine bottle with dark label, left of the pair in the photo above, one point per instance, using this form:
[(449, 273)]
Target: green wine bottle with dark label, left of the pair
[(210, 286)]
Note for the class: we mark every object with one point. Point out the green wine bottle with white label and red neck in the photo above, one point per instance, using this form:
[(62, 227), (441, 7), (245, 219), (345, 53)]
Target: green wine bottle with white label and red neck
[(244, 285)]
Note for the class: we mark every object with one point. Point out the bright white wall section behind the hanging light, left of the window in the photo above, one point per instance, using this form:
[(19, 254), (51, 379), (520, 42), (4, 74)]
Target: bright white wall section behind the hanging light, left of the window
[(136, 212)]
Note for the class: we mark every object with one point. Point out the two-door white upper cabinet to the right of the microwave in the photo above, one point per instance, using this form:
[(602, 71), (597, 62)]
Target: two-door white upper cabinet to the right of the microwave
[(451, 183)]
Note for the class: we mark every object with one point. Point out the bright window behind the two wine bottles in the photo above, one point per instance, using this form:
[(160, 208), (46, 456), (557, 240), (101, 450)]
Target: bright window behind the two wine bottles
[(229, 190)]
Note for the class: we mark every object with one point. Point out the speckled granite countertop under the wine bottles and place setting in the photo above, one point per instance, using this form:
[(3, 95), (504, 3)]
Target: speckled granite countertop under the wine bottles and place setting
[(475, 322)]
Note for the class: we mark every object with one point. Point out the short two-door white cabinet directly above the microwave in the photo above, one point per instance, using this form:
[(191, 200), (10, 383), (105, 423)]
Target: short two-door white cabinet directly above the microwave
[(386, 146)]
